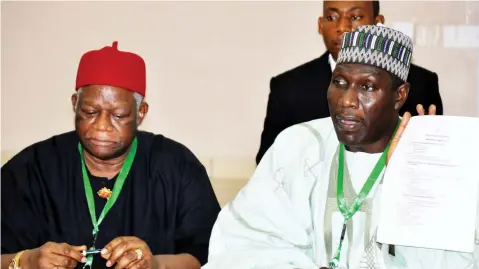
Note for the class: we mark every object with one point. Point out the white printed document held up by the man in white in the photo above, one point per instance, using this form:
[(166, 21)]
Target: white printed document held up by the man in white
[(430, 187)]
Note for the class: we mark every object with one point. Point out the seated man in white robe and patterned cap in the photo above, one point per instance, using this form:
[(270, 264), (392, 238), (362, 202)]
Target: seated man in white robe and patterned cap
[(313, 200)]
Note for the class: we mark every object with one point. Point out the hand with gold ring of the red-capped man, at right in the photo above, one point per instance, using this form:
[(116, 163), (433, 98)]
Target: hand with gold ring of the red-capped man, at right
[(128, 252)]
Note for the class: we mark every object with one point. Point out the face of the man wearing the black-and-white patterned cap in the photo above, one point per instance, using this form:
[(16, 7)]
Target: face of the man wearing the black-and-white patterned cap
[(363, 103)]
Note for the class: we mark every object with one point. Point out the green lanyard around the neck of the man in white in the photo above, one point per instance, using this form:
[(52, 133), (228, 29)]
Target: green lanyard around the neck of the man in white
[(348, 213)]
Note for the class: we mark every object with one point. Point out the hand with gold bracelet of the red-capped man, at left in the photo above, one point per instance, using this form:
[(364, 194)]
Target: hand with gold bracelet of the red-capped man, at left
[(53, 255)]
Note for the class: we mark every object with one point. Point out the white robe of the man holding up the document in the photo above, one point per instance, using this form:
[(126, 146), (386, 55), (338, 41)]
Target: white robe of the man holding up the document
[(279, 219)]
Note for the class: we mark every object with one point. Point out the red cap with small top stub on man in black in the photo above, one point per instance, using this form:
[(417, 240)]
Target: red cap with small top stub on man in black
[(109, 66)]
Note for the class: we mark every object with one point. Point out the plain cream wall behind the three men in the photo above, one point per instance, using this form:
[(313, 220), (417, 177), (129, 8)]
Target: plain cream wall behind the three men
[(208, 64)]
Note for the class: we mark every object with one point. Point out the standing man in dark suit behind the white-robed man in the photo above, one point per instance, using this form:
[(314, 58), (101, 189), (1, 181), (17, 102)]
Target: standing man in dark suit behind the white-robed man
[(299, 95)]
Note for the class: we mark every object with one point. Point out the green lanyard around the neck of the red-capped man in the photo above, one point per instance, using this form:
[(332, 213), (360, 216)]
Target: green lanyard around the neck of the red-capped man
[(125, 169)]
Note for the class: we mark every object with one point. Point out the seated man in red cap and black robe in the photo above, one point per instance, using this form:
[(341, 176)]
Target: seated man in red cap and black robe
[(106, 194)]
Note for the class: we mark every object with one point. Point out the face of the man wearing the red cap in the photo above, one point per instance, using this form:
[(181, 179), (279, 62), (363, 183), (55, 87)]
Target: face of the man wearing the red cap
[(106, 120)]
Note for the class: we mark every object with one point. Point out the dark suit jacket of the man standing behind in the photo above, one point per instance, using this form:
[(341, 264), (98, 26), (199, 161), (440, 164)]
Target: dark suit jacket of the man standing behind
[(300, 95)]
